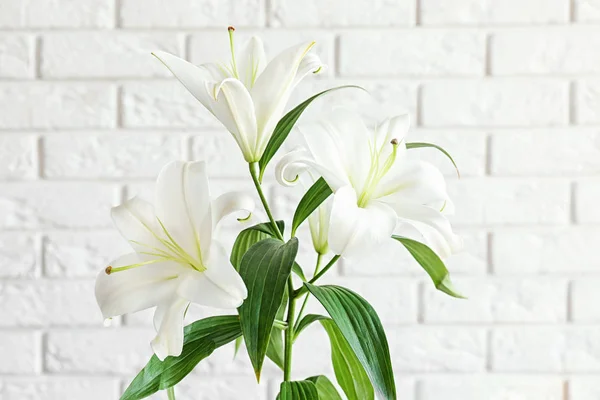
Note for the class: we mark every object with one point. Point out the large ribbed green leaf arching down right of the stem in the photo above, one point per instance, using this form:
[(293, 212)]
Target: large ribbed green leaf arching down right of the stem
[(359, 324)]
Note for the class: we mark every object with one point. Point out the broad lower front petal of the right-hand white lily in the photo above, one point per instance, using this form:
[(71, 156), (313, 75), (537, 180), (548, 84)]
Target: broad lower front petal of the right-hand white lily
[(354, 231)]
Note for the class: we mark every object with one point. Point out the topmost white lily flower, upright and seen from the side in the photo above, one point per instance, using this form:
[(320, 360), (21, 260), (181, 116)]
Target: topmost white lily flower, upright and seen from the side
[(248, 96)]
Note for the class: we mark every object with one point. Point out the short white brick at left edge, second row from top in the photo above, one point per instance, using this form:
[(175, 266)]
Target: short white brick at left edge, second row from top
[(16, 56)]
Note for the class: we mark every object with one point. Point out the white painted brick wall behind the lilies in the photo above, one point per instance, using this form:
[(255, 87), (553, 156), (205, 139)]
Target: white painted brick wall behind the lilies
[(511, 88)]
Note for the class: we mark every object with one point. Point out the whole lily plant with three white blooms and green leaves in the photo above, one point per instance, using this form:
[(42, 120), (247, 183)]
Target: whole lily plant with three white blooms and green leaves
[(362, 190)]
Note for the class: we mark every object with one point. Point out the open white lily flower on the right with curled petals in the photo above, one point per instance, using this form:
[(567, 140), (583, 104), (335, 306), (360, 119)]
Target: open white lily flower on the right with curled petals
[(377, 189)]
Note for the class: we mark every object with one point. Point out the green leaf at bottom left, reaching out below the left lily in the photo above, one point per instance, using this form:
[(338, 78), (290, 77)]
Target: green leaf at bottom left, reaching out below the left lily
[(200, 340)]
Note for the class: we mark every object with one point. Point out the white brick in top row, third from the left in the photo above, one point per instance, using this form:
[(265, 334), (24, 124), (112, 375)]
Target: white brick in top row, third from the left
[(289, 13)]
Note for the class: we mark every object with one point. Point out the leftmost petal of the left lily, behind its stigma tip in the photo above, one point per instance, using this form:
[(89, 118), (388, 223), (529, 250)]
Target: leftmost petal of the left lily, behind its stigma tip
[(135, 289)]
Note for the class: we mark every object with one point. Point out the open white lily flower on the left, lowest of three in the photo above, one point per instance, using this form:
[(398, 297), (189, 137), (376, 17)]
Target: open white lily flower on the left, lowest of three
[(176, 260)]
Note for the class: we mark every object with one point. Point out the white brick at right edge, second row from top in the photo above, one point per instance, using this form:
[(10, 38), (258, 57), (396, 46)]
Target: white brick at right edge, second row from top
[(545, 51)]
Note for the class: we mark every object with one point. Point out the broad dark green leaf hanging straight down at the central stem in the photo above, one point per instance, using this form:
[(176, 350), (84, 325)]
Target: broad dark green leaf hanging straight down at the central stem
[(265, 269)]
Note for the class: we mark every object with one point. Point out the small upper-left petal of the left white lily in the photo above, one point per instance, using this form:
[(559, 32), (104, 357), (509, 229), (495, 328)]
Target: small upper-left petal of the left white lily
[(136, 222)]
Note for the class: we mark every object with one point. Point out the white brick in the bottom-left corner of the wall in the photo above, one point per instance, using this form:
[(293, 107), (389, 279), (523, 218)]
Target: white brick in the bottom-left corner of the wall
[(54, 388)]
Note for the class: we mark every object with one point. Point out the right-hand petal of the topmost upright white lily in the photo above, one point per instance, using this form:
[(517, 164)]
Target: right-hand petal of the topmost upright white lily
[(272, 89)]
